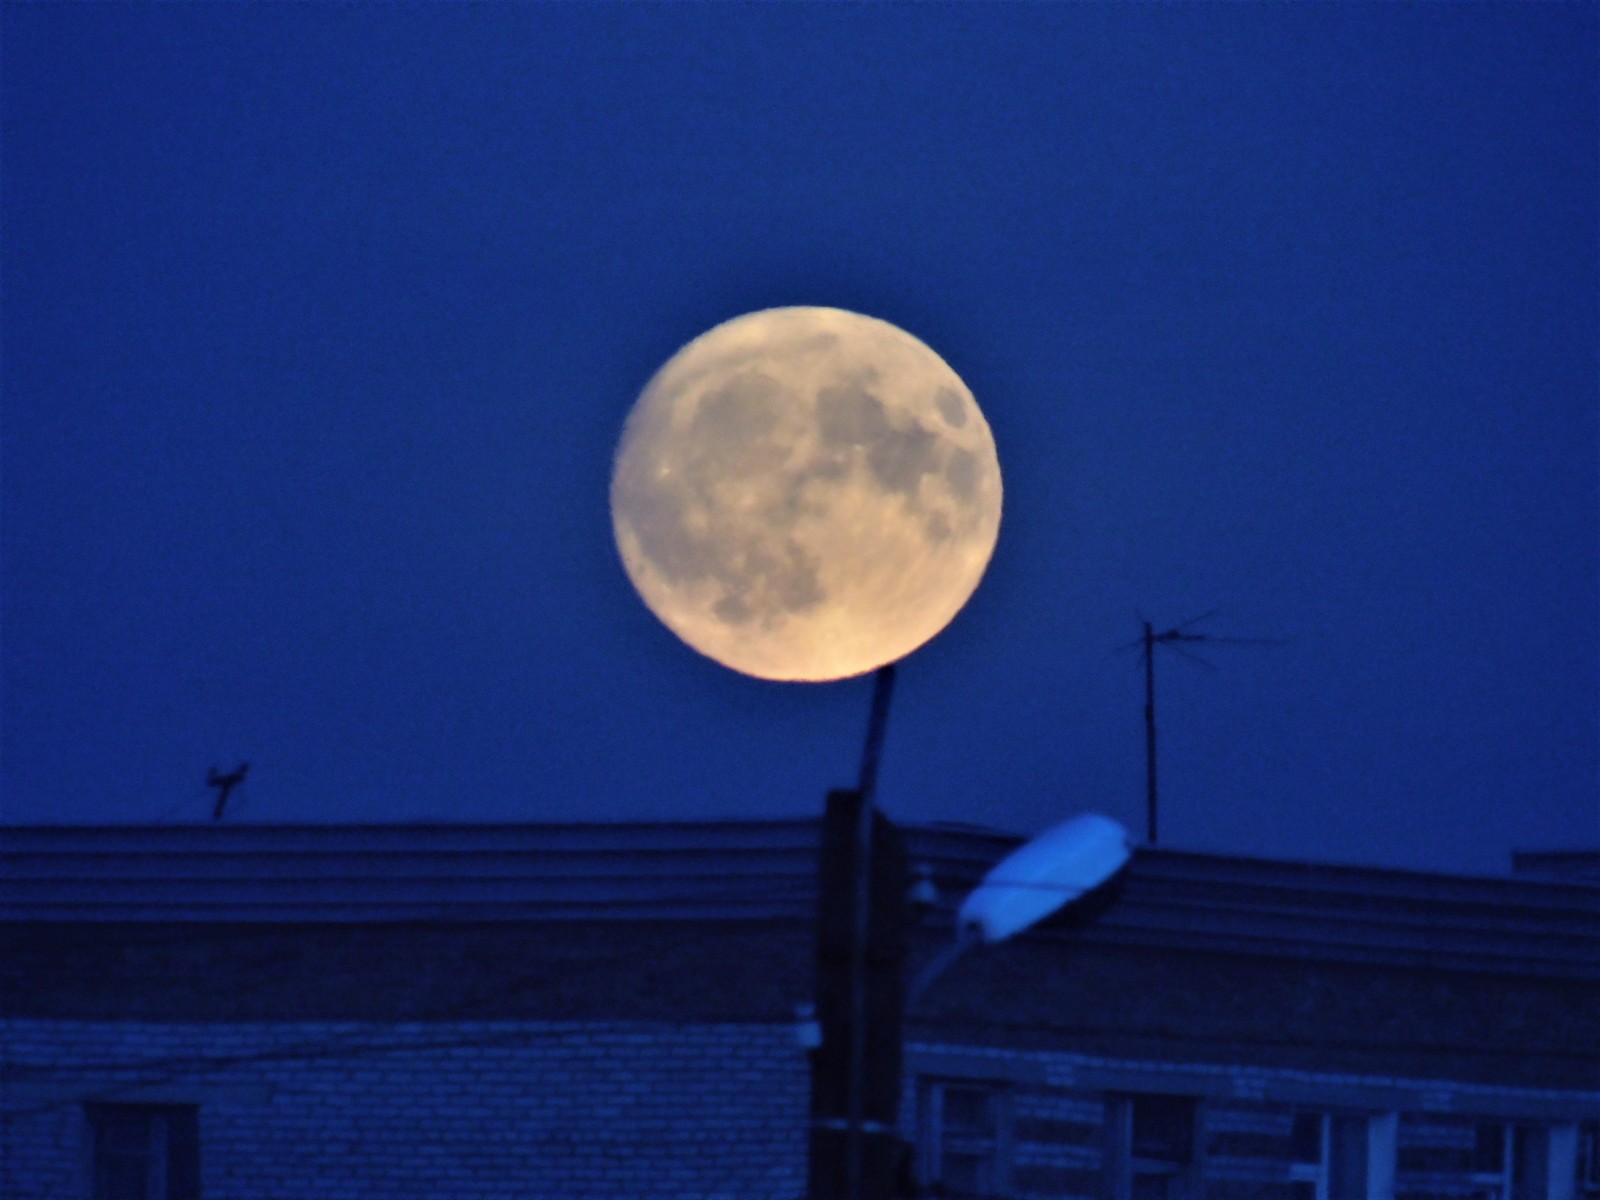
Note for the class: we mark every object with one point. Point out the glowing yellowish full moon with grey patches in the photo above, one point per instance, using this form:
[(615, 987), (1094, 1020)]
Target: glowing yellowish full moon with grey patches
[(806, 494)]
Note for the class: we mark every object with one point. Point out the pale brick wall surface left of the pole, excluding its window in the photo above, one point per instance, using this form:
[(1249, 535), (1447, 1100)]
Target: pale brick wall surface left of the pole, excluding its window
[(425, 1110)]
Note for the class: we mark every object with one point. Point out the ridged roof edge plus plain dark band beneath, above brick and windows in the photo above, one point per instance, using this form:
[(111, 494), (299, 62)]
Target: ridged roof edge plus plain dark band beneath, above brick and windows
[(1191, 959)]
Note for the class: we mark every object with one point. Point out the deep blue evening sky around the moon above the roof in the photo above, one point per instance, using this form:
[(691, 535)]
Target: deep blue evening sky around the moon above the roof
[(321, 326)]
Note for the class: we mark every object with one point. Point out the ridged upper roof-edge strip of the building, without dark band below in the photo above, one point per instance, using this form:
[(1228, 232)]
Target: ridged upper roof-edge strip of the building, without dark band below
[(767, 871)]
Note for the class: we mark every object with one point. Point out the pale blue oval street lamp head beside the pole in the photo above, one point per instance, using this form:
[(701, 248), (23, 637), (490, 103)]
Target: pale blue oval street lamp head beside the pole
[(1046, 876)]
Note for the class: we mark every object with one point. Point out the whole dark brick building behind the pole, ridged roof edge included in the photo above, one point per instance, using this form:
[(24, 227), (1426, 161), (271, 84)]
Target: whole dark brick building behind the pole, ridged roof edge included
[(618, 1012)]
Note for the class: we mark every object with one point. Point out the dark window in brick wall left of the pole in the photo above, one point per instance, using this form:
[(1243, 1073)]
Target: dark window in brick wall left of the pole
[(145, 1151)]
